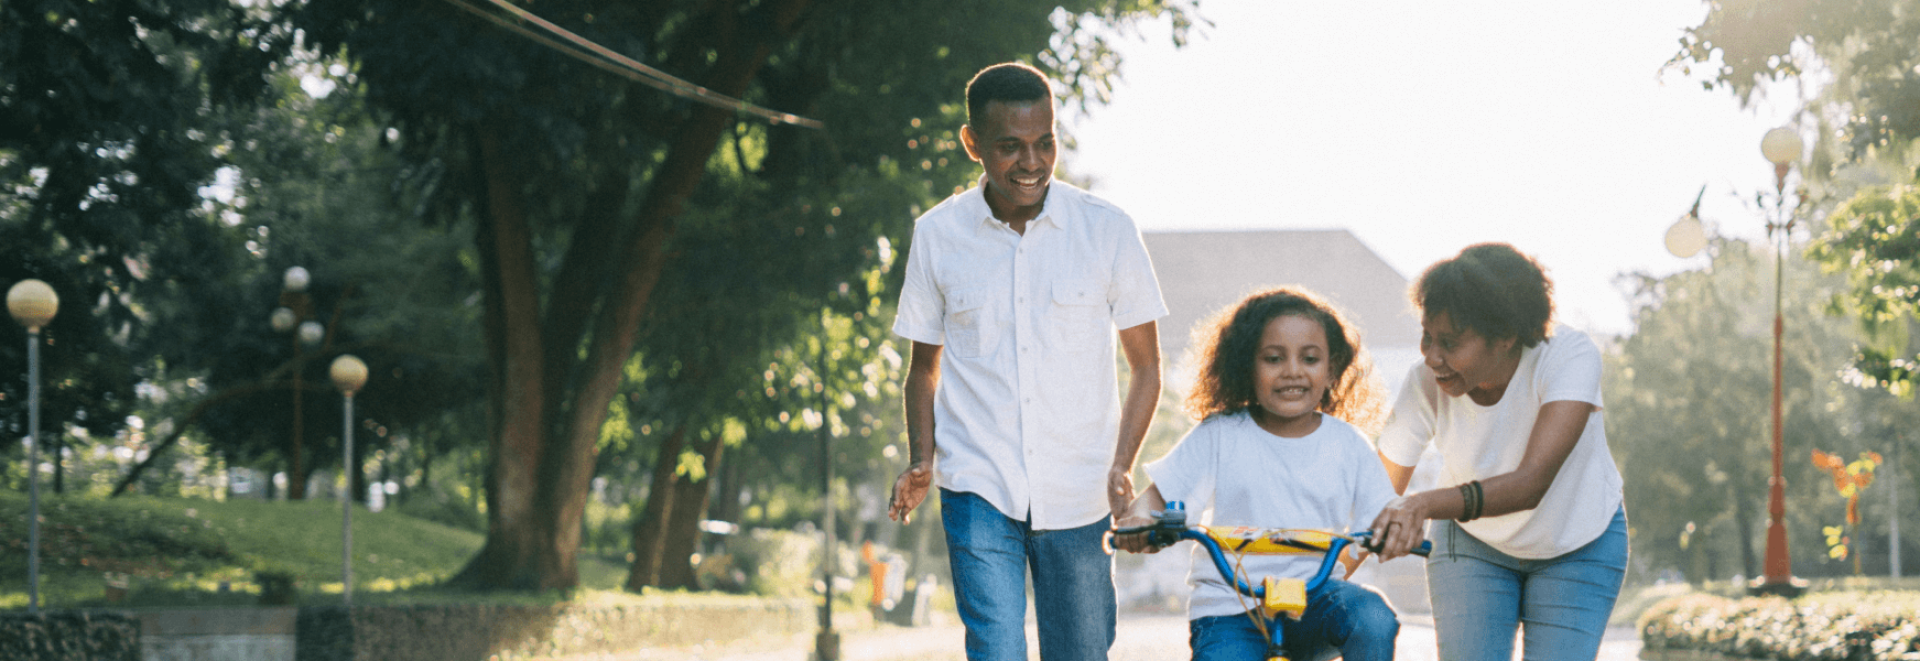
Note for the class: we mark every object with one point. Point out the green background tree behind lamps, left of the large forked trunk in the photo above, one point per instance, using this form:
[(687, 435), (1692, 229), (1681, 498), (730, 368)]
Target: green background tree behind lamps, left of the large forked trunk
[(308, 180)]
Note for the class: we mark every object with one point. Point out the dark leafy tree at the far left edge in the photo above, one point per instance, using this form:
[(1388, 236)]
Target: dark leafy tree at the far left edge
[(101, 164)]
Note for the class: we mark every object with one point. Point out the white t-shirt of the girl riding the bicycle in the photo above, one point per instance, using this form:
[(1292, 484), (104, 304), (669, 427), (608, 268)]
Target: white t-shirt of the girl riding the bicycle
[(1234, 474)]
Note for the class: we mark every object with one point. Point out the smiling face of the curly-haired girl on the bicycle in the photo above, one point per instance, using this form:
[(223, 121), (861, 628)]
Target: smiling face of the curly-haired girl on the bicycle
[(1291, 376)]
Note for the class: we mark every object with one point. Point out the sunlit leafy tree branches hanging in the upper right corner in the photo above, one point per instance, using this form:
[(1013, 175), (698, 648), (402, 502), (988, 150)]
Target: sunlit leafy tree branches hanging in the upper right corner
[(1867, 160)]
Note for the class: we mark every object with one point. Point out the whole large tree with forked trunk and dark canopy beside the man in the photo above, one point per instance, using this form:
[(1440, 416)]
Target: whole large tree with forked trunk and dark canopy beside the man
[(579, 182)]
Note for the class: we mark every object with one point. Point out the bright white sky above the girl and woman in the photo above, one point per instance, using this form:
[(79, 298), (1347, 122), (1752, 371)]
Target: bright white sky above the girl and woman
[(1426, 128)]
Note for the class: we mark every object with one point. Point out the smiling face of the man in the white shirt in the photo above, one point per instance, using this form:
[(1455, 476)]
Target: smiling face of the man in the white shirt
[(1015, 143)]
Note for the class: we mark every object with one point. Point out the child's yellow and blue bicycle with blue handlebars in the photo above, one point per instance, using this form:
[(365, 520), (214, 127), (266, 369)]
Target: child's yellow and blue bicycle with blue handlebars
[(1276, 597)]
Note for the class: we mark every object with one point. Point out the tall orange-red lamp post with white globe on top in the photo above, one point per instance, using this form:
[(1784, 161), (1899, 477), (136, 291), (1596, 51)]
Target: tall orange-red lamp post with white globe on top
[(1783, 147)]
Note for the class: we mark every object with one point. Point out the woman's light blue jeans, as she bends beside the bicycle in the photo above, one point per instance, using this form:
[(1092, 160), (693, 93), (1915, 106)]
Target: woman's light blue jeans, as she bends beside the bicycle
[(1481, 595)]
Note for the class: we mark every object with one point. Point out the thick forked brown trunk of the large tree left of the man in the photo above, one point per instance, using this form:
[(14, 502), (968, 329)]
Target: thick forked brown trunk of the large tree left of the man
[(546, 414)]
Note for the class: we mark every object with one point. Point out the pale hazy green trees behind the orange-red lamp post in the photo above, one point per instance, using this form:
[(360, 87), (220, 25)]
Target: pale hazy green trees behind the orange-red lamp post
[(1689, 414)]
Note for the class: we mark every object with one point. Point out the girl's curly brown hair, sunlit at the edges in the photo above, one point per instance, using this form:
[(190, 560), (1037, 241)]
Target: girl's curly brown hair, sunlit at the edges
[(1230, 345)]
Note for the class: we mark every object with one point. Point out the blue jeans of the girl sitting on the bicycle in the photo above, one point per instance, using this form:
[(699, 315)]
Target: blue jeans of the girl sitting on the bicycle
[(1343, 620)]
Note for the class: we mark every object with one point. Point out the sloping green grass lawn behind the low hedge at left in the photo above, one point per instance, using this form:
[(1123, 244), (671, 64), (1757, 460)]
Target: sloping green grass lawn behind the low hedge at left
[(180, 552)]
